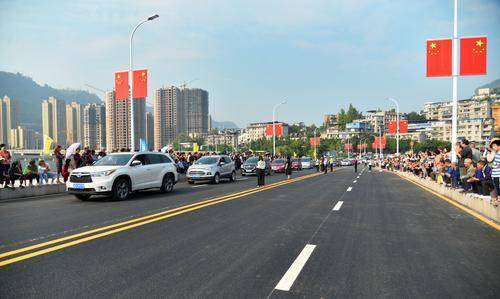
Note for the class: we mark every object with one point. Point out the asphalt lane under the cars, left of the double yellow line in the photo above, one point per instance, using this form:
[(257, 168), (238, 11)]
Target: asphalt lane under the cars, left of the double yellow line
[(26, 222)]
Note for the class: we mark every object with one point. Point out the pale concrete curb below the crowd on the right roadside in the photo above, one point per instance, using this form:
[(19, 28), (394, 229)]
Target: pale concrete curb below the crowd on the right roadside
[(475, 203)]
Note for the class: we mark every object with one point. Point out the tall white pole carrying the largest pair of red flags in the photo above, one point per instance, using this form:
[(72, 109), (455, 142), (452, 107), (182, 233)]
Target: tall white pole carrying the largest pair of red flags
[(454, 83)]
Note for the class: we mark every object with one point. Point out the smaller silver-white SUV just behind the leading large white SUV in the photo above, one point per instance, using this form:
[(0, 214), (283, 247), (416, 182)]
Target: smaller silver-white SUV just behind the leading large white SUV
[(211, 168)]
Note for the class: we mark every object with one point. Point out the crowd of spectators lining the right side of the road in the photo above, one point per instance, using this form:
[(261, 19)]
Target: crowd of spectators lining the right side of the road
[(473, 171)]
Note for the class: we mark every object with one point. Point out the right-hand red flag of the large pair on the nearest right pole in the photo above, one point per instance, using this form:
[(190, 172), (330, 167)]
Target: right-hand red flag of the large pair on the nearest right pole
[(473, 56)]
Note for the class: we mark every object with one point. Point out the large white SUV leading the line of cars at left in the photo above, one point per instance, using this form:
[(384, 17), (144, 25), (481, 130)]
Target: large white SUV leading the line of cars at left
[(119, 174)]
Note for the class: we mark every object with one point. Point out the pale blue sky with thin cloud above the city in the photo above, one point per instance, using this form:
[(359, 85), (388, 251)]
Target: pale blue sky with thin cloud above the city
[(249, 55)]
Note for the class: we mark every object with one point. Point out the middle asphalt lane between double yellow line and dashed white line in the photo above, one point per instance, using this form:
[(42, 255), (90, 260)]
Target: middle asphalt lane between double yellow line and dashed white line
[(235, 249)]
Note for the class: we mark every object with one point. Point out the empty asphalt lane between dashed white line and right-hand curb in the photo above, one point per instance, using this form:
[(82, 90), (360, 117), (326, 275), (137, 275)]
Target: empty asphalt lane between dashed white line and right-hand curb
[(392, 239)]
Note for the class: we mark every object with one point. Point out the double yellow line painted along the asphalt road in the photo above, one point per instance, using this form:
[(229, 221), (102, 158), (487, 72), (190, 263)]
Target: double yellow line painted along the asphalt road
[(86, 236)]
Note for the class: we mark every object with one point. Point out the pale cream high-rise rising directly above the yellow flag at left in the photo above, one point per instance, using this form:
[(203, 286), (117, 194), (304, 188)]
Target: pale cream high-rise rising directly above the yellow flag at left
[(54, 120)]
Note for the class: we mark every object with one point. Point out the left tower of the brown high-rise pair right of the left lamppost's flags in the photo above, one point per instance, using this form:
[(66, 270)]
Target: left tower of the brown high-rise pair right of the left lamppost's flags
[(168, 115)]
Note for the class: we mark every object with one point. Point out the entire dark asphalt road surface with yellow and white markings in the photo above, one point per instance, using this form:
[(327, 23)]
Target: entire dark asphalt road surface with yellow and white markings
[(339, 235)]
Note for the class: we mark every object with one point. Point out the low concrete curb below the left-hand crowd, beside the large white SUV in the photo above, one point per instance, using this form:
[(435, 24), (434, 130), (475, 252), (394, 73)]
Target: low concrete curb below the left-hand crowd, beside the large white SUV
[(41, 190)]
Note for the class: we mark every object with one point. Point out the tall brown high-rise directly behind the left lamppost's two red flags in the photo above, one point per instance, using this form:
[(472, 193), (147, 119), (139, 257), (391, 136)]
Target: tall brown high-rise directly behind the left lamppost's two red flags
[(118, 122)]
